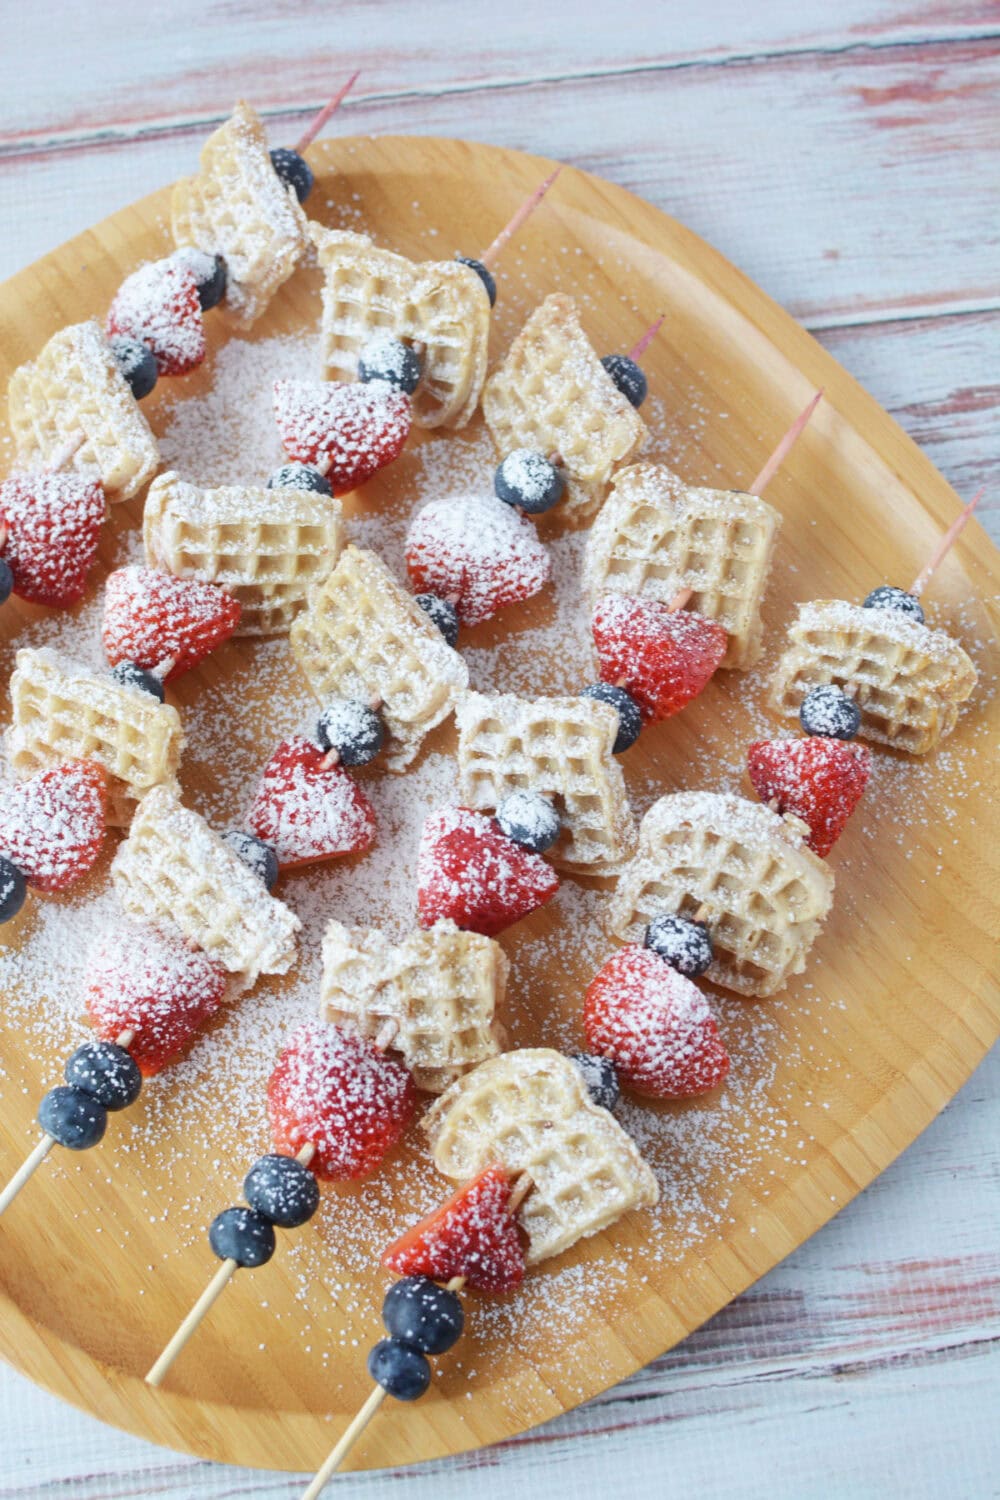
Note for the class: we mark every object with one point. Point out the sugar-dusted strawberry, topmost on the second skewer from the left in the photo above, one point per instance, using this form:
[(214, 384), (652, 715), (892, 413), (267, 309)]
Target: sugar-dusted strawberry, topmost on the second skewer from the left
[(358, 428)]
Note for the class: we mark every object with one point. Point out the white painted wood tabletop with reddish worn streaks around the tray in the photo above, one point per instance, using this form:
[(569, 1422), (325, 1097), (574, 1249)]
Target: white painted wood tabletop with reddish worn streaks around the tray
[(848, 158)]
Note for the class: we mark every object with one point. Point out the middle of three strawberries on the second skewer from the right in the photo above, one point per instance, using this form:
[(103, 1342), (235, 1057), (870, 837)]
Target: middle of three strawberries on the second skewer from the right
[(472, 872)]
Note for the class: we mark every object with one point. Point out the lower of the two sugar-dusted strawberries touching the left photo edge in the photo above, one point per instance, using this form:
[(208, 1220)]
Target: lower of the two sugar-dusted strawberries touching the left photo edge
[(53, 826)]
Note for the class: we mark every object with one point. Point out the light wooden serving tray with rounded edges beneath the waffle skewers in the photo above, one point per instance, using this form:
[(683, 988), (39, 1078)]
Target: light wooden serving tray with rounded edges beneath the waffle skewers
[(104, 1252)]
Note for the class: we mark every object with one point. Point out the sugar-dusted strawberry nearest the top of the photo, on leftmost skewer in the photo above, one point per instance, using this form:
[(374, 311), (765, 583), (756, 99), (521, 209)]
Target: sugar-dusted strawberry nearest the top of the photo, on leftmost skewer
[(160, 307)]
